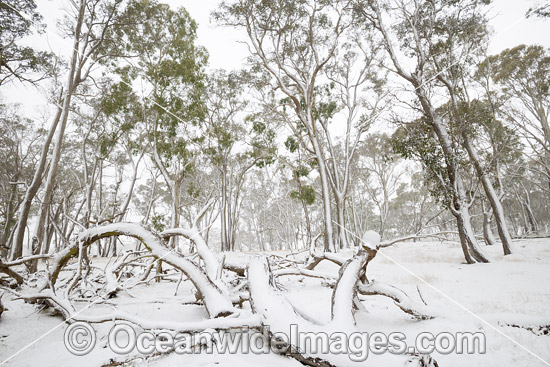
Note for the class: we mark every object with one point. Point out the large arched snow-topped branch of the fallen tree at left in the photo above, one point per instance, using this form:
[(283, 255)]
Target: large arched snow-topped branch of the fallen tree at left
[(216, 302)]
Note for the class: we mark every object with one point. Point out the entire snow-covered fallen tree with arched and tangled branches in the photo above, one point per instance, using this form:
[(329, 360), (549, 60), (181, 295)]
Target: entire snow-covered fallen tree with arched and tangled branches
[(270, 308)]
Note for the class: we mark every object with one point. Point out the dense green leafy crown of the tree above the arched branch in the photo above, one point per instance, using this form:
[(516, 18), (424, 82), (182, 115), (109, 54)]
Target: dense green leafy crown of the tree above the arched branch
[(161, 44)]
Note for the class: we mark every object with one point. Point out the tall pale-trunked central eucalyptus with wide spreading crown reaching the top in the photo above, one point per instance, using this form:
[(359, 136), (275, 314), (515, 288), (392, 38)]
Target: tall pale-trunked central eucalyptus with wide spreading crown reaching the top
[(295, 42)]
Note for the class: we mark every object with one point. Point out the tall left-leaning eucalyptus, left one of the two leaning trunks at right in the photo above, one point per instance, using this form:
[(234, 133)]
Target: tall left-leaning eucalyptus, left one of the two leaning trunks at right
[(431, 46)]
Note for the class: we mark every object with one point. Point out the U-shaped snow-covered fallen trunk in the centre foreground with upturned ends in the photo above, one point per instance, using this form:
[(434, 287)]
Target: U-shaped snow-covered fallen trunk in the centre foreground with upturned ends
[(280, 318)]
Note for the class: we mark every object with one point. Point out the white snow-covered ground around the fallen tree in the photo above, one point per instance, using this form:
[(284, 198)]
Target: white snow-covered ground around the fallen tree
[(513, 289)]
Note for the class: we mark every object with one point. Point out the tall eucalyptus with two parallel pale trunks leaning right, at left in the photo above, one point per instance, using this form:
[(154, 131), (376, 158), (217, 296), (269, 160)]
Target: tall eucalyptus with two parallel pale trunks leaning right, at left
[(87, 25)]
